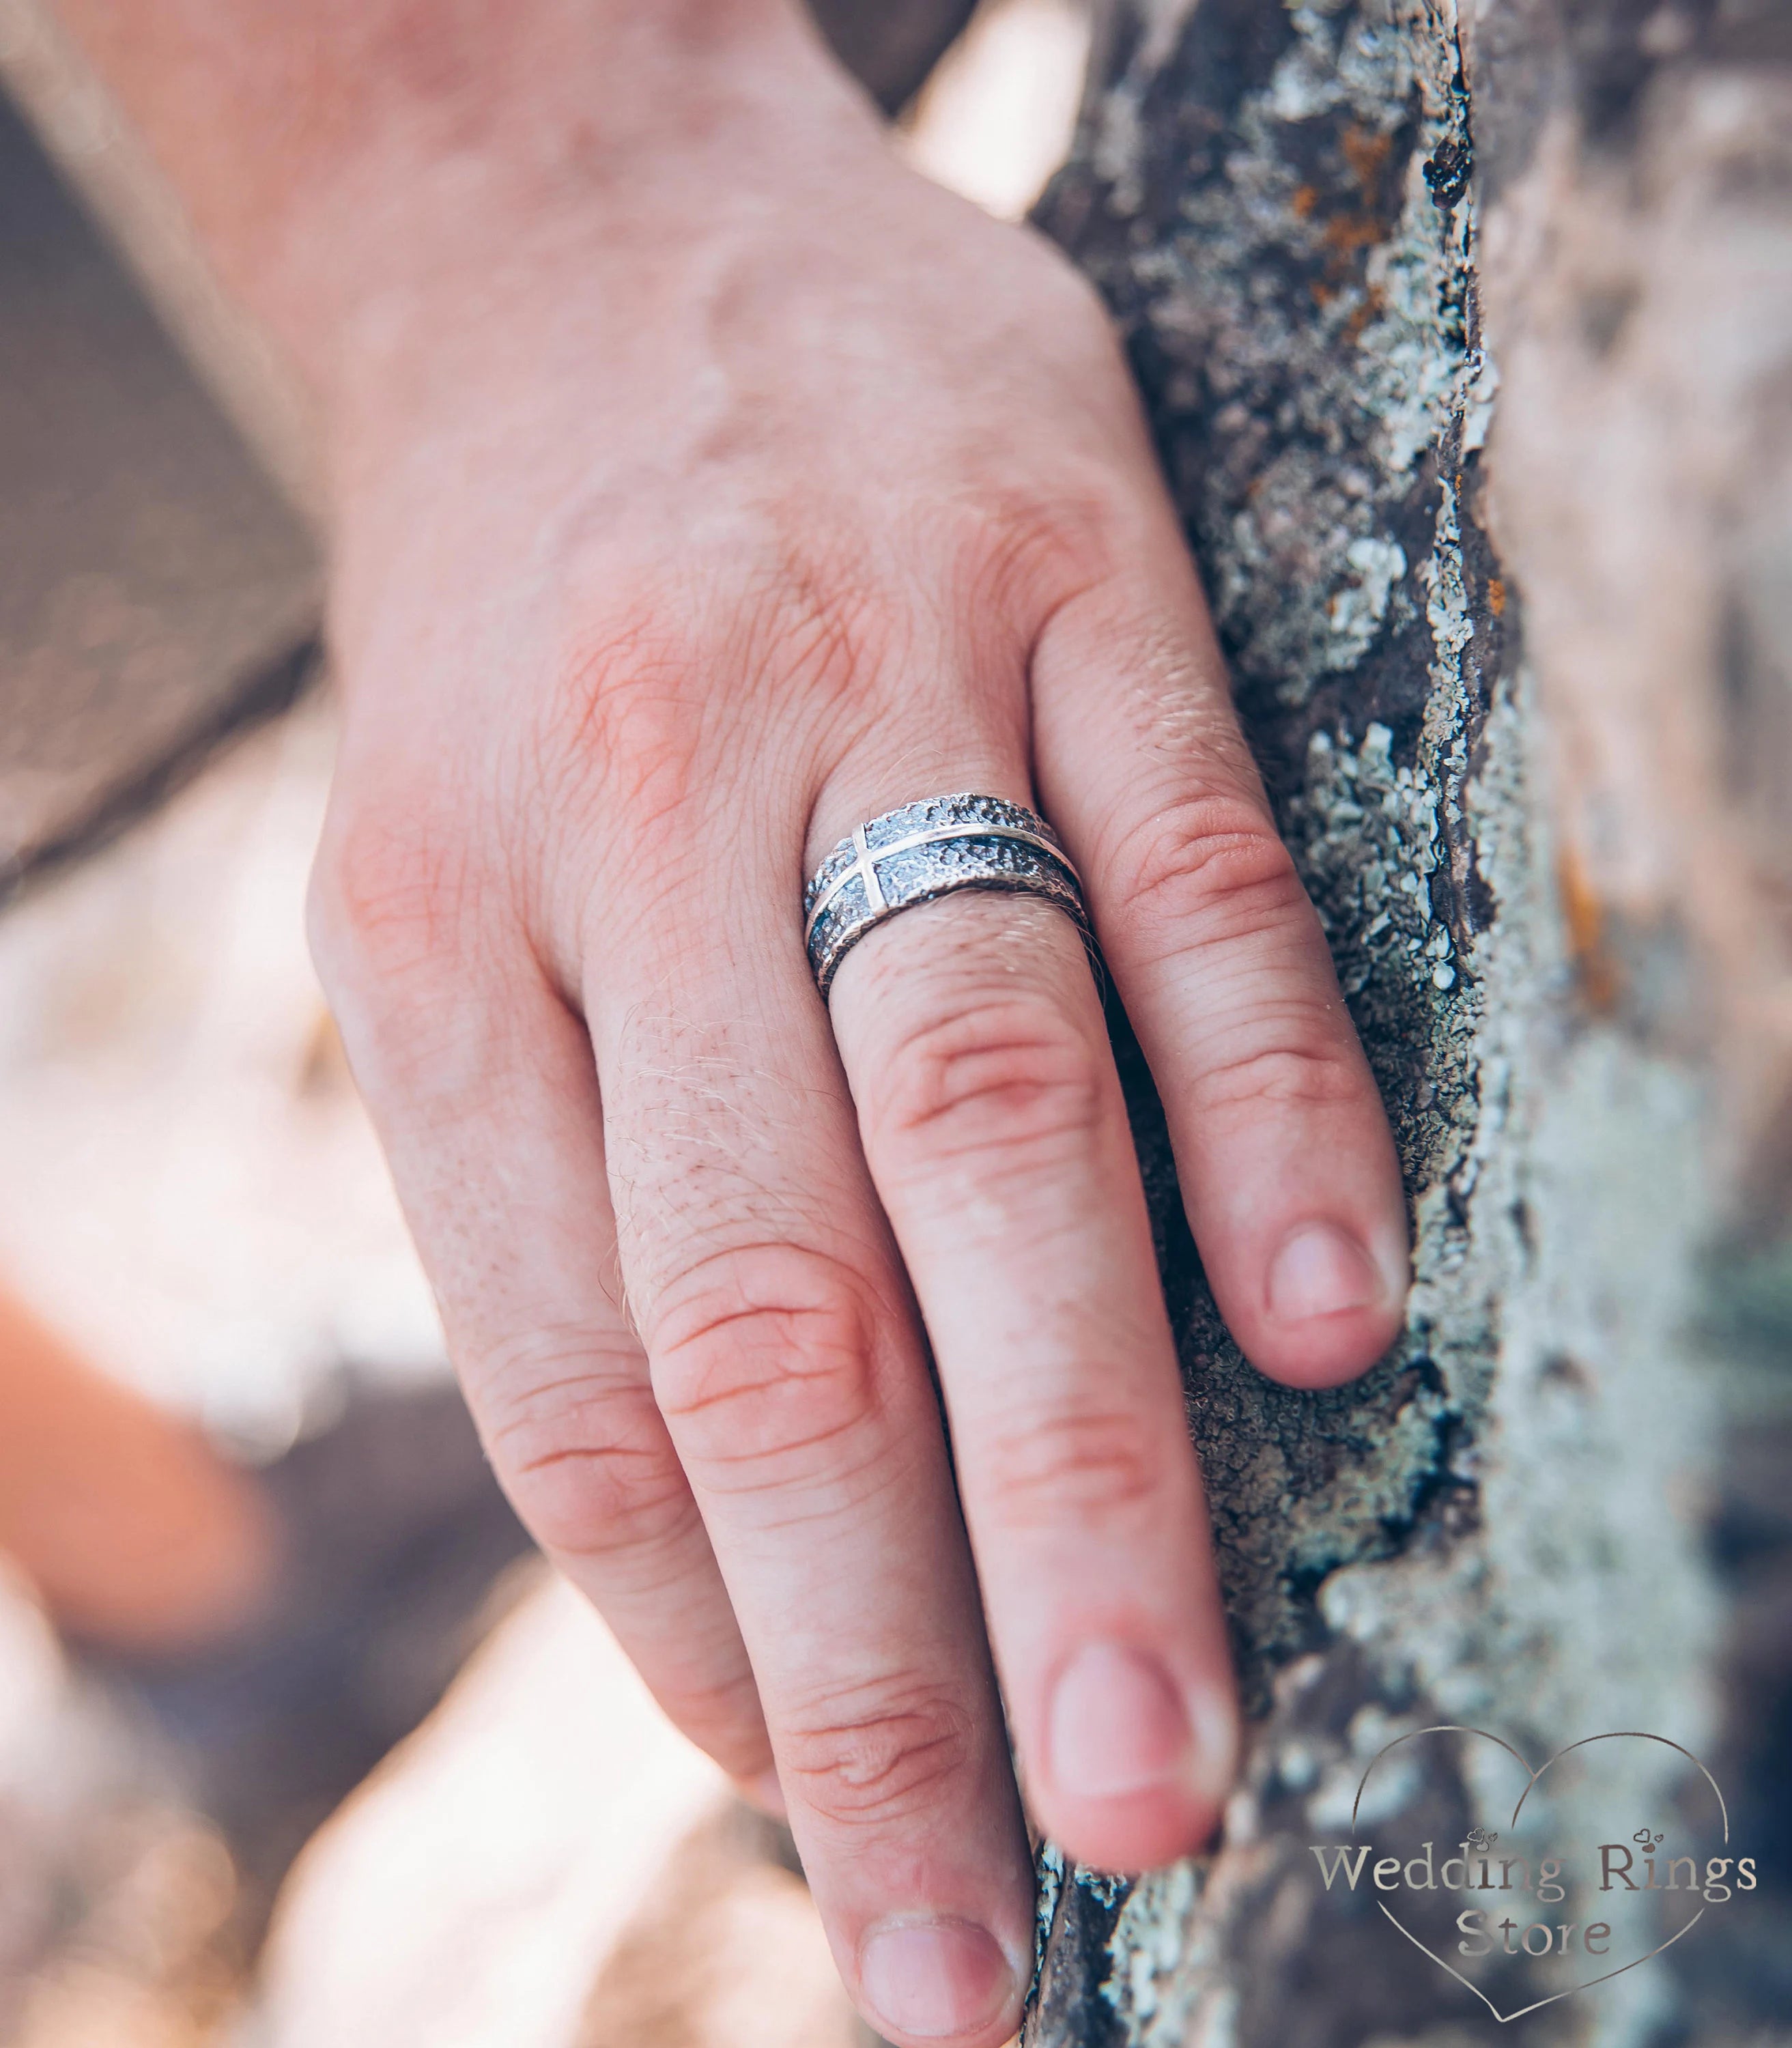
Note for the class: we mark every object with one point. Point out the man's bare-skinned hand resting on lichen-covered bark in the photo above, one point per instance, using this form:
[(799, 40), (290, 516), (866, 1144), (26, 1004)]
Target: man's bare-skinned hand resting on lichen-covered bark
[(710, 484)]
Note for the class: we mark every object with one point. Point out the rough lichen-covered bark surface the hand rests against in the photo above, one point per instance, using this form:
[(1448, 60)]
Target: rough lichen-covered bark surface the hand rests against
[(1467, 343)]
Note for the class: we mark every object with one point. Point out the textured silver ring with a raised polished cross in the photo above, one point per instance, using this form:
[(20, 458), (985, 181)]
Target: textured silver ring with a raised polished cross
[(925, 851)]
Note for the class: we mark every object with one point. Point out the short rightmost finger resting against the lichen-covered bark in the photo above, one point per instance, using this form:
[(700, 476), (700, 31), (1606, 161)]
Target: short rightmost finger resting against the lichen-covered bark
[(1283, 1148)]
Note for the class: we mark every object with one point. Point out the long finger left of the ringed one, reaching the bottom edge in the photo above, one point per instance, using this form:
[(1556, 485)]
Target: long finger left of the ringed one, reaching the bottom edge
[(792, 1371)]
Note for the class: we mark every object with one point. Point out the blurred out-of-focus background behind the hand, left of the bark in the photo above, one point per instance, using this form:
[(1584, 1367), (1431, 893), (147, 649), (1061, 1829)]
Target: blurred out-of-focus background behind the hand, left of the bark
[(298, 1744)]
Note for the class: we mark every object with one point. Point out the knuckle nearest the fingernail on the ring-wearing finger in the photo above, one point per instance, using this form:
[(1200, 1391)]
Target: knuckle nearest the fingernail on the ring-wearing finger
[(1078, 1461)]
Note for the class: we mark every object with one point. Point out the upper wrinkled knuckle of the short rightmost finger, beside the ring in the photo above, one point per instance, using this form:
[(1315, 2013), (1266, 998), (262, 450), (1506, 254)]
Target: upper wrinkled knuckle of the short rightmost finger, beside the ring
[(1205, 871)]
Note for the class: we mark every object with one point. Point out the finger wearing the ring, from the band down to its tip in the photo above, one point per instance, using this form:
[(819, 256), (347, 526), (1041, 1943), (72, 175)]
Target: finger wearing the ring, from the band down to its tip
[(998, 1138)]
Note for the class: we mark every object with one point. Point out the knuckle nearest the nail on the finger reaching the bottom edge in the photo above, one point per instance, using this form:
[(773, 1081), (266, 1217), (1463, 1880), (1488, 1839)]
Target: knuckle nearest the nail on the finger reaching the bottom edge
[(878, 1752)]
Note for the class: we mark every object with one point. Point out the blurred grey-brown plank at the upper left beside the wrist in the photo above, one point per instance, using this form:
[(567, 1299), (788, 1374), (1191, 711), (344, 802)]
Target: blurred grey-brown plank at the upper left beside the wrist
[(157, 593)]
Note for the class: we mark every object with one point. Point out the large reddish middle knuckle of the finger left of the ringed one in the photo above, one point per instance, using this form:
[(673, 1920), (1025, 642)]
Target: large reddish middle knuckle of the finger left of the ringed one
[(765, 1365)]
